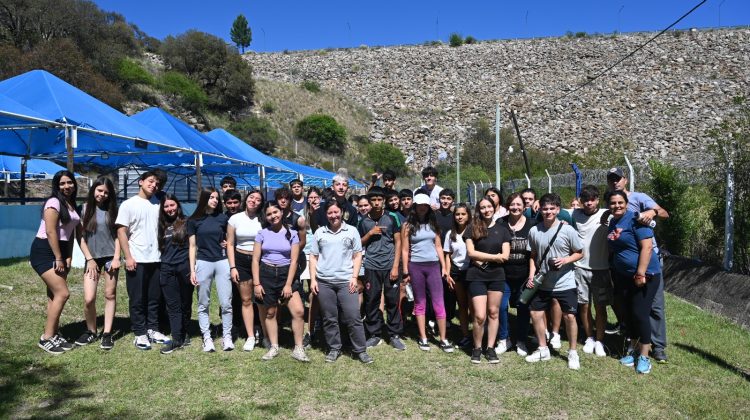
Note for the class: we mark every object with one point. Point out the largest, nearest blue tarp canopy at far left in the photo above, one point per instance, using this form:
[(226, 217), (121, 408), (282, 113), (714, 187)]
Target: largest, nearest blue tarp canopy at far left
[(104, 135)]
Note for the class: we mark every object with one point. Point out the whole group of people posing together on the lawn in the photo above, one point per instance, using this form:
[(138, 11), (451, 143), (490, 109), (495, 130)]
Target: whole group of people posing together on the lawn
[(363, 258)]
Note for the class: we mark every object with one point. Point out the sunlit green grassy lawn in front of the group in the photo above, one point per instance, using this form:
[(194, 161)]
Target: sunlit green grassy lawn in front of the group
[(708, 375)]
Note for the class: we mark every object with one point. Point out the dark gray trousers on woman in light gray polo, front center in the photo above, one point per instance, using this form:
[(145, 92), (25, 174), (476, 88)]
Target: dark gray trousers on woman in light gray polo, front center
[(331, 298)]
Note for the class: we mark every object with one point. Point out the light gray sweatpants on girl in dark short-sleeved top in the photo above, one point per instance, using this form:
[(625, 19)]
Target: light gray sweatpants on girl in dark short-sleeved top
[(208, 272)]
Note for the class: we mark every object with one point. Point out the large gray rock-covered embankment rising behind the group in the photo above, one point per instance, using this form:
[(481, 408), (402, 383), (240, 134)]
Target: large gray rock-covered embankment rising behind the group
[(424, 98)]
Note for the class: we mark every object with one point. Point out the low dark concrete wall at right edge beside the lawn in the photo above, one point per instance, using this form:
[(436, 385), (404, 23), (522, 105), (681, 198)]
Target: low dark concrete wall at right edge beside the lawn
[(710, 288)]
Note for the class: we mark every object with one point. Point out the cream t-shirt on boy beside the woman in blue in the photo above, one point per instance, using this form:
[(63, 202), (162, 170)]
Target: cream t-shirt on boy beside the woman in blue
[(594, 237)]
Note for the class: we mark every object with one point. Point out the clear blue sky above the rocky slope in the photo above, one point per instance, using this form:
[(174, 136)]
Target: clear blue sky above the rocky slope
[(296, 25)]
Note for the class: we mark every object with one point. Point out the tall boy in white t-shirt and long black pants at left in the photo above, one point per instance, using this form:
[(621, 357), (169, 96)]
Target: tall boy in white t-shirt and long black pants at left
[(137, 230)]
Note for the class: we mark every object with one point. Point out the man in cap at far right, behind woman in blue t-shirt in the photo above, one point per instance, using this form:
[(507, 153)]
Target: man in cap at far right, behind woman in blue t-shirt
[(643, 204)]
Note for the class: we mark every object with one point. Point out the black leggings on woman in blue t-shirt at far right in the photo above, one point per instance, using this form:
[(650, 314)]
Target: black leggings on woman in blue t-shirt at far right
[(638, 302)]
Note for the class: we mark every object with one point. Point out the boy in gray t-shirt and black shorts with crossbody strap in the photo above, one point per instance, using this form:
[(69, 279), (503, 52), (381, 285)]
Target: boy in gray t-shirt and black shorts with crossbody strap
[(563, 247)]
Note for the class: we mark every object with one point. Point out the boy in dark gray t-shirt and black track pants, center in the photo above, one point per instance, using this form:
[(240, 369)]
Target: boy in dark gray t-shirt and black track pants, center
[(382, 242)]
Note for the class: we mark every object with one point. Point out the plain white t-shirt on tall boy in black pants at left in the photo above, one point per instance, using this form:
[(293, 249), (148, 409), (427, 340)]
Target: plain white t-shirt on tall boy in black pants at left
[(141, 217)]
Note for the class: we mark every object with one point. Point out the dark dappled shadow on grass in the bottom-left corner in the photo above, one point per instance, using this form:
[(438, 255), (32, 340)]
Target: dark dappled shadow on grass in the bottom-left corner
[(26, 379)]
